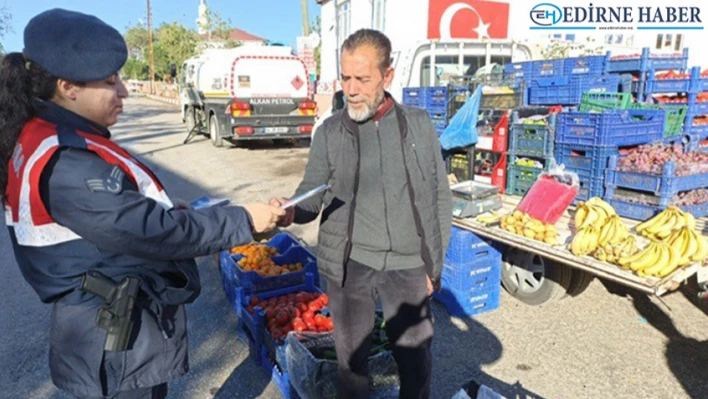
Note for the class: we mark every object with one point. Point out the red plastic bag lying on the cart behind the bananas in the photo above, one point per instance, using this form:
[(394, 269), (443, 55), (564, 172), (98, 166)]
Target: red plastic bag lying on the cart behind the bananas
[(551, 194)]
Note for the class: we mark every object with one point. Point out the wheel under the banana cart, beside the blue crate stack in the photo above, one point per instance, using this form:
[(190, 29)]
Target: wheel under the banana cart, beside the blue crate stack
[(533, 279)]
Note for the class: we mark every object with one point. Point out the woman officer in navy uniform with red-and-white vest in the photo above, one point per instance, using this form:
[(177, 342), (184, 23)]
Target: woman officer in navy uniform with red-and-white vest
[(77, 202)]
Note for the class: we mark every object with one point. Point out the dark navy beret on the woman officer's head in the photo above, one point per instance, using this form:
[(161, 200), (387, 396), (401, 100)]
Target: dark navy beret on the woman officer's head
[(74, 46)]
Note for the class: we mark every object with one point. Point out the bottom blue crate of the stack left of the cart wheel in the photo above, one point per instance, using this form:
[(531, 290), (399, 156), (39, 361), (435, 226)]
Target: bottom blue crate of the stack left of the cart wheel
[(466, 304)]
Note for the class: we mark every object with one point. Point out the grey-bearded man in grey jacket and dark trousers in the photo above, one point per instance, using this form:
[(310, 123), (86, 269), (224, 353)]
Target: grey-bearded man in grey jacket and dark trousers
[(386, 218)]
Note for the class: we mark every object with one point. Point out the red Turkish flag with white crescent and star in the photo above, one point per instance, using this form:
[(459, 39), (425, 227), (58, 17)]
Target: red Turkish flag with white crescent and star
[(467, 19)]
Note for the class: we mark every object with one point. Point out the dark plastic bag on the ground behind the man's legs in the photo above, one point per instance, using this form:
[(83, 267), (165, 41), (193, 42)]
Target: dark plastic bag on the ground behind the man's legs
[(314, 377)]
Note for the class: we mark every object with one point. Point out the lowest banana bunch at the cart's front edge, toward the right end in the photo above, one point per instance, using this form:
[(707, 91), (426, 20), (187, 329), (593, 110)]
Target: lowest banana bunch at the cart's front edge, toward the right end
[(658, 259)]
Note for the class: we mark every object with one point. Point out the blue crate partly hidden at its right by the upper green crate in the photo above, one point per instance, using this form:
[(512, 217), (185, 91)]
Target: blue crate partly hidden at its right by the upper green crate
[(568, 90)]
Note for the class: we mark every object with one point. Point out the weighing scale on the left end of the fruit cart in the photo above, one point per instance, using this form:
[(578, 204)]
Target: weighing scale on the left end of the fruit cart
[(471, 198)]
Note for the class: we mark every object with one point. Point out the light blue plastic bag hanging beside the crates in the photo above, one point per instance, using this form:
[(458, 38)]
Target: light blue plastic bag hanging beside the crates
[(462, 129)]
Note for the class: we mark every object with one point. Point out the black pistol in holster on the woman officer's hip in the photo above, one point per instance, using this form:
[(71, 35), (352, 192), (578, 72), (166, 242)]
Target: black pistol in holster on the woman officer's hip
[(116, 314)]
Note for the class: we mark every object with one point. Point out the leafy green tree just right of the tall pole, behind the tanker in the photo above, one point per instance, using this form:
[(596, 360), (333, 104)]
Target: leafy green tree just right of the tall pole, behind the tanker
[(173, 44)]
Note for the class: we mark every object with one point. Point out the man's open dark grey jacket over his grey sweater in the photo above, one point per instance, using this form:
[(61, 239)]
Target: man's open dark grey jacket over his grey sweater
[(335, 159)]
